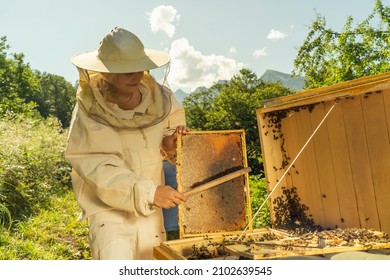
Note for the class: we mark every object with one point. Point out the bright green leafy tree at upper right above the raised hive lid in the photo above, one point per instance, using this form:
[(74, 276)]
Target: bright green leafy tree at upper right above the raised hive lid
[(328, 57)]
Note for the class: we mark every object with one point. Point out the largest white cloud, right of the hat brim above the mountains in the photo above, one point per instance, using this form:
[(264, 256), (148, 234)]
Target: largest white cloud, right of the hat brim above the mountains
[(191, 69)]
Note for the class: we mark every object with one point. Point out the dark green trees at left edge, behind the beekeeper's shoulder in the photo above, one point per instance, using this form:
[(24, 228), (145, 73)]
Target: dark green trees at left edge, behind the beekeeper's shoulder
[(29, 92)]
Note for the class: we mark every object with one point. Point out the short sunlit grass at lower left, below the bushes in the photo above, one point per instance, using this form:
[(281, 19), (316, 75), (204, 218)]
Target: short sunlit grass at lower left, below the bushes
[(52, 234)]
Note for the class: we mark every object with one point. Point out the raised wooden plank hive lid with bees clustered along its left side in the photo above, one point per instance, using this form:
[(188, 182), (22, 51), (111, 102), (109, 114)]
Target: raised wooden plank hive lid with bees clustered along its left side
[(342, 175)]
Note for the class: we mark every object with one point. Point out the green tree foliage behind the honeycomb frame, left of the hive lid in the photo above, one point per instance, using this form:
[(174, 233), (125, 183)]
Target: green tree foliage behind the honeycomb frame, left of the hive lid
[(233, 105)]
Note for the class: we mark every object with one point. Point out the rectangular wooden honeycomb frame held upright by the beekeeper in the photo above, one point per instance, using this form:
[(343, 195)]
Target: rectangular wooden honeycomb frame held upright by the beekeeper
[(204, 156)]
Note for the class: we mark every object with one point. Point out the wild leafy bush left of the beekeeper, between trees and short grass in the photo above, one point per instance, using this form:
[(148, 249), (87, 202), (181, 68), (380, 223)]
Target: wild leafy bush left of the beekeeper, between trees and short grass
[(32, 165)]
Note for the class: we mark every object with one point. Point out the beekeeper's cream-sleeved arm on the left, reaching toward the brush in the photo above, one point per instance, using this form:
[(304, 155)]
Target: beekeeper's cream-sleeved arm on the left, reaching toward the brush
[(113, 183)]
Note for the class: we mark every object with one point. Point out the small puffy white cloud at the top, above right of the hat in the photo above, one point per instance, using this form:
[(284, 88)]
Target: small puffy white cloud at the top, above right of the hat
[(163, 18)]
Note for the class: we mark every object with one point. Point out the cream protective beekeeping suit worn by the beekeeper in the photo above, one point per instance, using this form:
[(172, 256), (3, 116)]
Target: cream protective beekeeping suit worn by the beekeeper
[(117, 165)]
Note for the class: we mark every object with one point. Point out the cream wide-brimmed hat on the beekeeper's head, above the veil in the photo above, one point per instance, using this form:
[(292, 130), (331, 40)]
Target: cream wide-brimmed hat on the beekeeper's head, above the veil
[(121, 51)]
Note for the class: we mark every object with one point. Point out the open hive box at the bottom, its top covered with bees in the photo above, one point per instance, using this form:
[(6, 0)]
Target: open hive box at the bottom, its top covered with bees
[(265, 243)]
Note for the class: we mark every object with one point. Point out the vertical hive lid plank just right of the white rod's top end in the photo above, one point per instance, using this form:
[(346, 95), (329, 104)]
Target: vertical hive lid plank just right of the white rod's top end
[(360, 162)]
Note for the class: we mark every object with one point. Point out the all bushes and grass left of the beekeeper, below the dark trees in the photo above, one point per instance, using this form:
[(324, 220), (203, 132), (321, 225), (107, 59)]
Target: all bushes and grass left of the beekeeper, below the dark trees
[(38, 213)]
